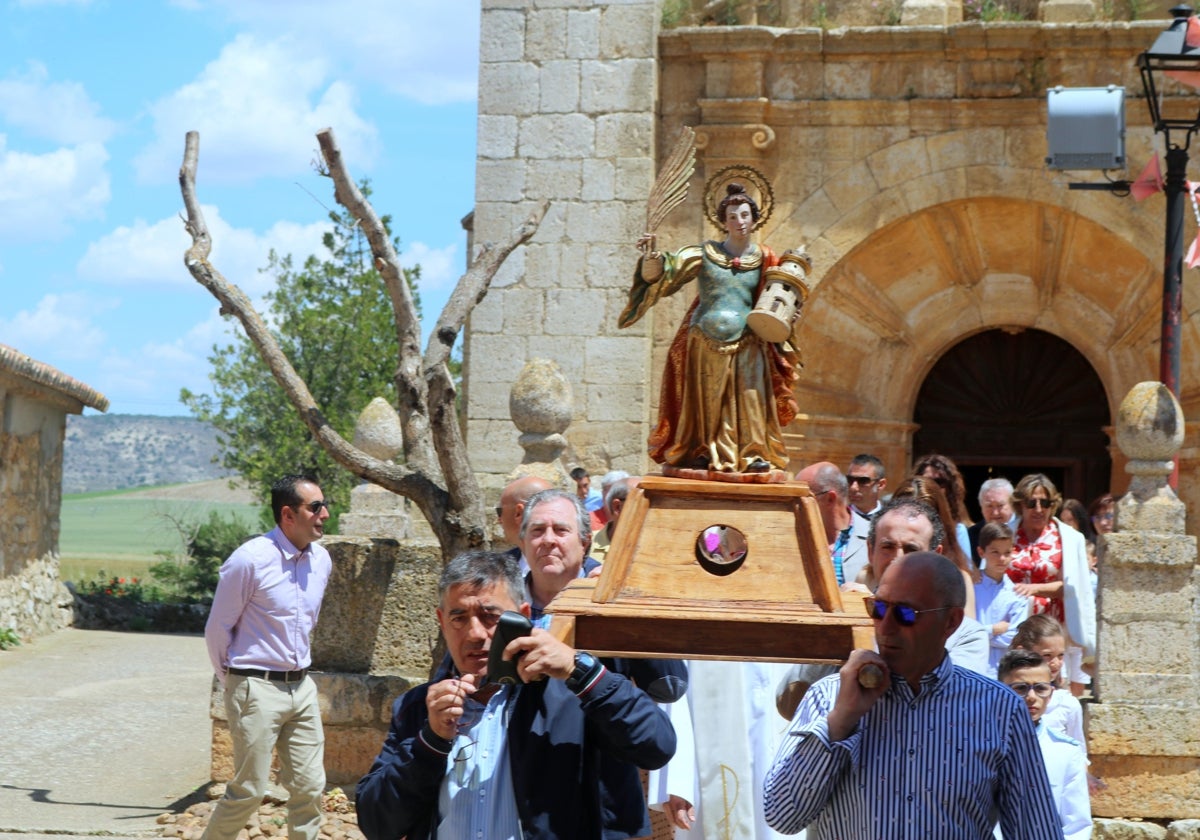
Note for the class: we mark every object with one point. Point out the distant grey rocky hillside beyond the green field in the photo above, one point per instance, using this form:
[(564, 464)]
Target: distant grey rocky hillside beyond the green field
[(113, 452)]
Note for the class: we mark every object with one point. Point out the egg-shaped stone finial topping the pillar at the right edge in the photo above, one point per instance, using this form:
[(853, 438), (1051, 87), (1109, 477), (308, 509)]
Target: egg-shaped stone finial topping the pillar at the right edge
[(1150, 434)]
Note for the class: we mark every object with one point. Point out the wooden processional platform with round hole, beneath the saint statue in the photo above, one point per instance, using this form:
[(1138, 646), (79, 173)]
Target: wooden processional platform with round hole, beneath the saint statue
[(715, 571)]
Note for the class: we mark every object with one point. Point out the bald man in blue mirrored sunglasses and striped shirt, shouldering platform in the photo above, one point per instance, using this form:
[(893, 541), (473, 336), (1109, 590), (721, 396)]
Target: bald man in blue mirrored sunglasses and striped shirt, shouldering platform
[(926, 749)]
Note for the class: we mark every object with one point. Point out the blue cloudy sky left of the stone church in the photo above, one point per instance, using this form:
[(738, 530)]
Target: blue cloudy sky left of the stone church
[(97, 98)]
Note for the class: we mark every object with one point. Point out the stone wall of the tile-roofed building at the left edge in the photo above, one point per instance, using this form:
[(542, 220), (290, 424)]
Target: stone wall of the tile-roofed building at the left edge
[(32, 601)]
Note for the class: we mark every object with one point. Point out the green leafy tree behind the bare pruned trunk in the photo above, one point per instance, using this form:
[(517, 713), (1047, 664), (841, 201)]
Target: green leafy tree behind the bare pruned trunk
[(334, 321)]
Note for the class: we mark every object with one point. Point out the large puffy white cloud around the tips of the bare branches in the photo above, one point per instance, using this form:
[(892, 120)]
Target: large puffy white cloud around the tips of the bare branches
[(257, 109)]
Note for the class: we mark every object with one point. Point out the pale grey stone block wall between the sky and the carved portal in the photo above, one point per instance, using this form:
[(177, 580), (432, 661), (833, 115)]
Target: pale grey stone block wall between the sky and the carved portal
[(567, 94)]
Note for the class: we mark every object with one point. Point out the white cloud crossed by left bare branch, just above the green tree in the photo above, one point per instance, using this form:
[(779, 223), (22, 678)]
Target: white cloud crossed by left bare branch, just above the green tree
[(153, 255)]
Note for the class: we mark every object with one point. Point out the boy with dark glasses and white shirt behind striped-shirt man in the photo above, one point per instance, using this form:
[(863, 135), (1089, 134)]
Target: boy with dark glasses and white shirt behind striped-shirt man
[(1027, 674)]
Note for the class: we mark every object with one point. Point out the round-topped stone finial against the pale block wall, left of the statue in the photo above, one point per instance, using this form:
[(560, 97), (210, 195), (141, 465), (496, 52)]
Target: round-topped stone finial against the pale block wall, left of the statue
[(541, 405)]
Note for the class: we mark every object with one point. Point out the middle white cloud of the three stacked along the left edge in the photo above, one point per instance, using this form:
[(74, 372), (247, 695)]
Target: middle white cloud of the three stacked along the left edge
[(41, 194)]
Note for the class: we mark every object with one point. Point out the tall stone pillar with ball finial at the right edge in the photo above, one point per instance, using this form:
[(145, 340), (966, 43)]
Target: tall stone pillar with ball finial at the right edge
[(1144, 733)]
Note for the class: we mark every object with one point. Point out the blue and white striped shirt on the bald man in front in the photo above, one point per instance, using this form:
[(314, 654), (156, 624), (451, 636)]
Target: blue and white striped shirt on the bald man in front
[(945, 764)]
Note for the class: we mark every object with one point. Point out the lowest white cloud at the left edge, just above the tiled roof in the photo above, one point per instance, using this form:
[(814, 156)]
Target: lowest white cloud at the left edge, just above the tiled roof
[(58, 326)]
